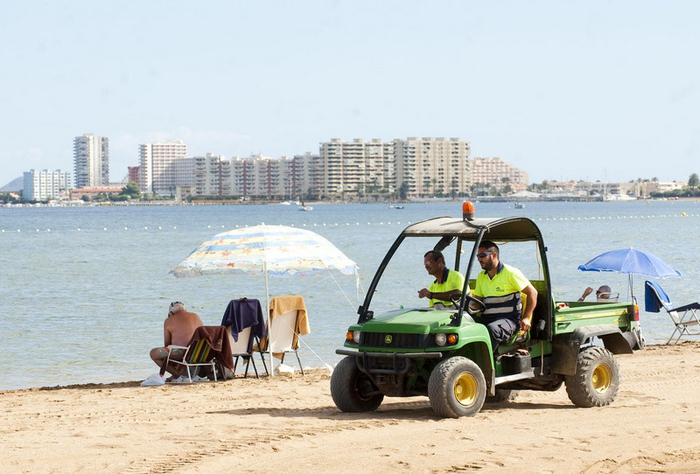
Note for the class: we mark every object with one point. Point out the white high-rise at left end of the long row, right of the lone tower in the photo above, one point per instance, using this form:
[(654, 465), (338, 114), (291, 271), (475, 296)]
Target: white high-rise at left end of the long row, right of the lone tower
[(164, 166)]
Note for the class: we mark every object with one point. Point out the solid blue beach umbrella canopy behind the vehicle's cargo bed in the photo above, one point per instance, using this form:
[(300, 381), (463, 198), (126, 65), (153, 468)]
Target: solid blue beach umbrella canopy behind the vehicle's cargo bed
[(632, 262)]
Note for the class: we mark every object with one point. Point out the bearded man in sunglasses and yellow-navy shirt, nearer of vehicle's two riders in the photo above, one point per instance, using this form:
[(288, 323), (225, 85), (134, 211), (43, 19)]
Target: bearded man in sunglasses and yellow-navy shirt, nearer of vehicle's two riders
[(499, 287)]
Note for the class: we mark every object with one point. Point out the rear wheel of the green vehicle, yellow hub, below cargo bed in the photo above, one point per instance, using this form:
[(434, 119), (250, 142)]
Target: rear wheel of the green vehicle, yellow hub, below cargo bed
[(597, 378)]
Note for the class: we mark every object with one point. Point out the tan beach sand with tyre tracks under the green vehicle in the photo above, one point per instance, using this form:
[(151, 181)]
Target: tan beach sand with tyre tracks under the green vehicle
[(290, 424)]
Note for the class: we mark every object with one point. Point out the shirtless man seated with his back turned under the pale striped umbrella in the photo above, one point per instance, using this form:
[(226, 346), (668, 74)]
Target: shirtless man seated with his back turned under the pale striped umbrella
[(178, 329)]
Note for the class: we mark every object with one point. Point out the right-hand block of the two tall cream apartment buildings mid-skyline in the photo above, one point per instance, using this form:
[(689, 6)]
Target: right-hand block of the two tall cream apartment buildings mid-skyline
[(428, 167)]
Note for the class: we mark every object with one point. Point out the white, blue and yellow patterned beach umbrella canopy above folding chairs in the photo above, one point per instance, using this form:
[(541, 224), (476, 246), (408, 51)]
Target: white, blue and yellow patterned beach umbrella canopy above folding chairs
[(273, 250)]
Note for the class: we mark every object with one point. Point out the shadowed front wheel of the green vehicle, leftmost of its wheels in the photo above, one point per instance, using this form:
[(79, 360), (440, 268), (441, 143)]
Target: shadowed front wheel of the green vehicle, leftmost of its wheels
[(352, 390)]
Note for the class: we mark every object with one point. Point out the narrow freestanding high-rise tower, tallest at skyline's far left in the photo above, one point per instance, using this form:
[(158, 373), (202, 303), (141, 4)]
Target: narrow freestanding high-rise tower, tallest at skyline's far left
[(91, 160)]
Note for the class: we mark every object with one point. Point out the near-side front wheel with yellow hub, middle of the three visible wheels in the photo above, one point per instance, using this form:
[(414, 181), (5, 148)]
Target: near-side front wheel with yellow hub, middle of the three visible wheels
[(457, 387)]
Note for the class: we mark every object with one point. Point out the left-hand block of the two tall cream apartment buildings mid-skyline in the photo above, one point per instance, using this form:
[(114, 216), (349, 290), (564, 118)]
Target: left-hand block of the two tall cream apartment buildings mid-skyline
[(357, 167)]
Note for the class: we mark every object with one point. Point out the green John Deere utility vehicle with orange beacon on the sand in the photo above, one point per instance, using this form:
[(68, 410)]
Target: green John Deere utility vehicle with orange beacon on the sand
[(447, 355)]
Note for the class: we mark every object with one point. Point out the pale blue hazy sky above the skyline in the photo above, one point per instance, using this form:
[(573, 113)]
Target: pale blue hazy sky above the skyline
[(601, 90)]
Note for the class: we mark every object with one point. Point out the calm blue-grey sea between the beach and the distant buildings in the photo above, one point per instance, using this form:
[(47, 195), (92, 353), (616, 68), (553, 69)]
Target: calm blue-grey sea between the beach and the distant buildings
[(84, 291)]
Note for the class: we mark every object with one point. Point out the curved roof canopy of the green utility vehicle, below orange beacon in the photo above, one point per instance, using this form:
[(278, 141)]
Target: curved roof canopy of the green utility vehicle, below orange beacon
[(507, 228)]
